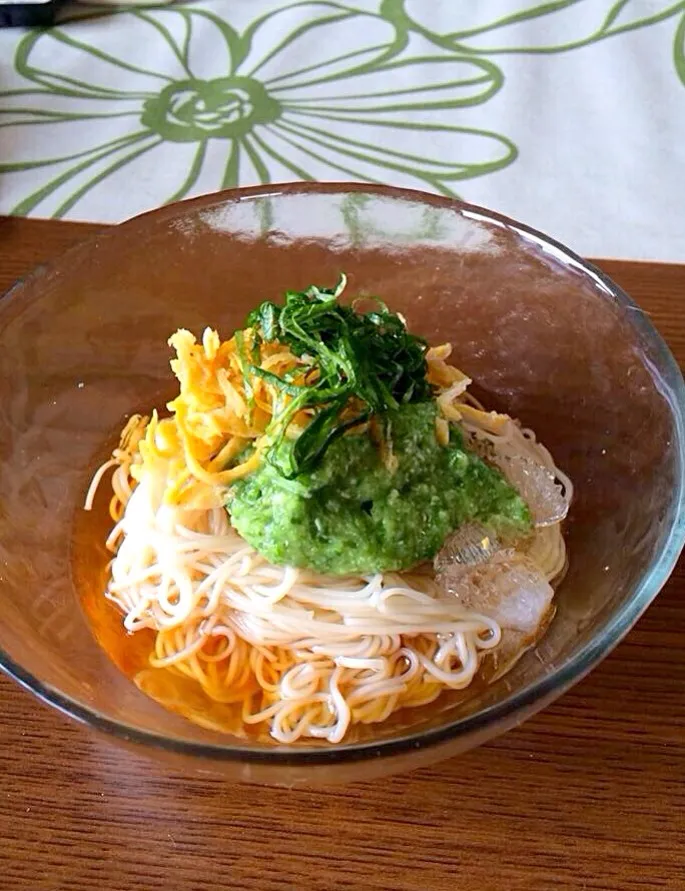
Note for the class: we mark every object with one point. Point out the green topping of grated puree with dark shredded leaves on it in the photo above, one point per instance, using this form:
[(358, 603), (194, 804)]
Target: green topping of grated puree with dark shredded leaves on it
[(336, 504)]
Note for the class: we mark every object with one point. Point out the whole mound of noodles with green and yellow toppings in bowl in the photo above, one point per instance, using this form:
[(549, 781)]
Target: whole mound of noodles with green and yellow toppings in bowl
[(269, 531)]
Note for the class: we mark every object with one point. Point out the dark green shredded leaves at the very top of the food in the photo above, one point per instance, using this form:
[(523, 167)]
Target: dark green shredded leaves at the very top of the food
[(368, 357)]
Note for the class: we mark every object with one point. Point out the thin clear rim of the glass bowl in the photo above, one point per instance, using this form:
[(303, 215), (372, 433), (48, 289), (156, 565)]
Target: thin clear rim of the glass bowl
[(502, 714)]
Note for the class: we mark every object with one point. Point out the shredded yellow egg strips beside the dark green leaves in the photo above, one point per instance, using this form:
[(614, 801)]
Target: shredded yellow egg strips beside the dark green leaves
[(218, 426)]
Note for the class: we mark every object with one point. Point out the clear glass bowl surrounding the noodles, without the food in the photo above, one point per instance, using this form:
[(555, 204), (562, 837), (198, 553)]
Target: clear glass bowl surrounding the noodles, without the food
[(547, 337)]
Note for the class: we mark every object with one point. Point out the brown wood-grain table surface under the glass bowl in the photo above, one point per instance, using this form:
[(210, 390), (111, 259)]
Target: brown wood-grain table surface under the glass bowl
[(590, 794)]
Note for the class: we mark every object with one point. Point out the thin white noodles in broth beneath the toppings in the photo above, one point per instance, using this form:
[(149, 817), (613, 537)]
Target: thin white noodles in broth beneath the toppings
[(305, 655)]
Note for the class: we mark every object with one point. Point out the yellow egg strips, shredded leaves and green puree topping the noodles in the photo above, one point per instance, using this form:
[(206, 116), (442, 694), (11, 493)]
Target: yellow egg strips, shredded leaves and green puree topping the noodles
[(322, 428)]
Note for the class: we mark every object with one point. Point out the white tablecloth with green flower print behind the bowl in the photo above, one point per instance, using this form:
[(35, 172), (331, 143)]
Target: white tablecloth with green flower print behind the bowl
[(567, 115)]
